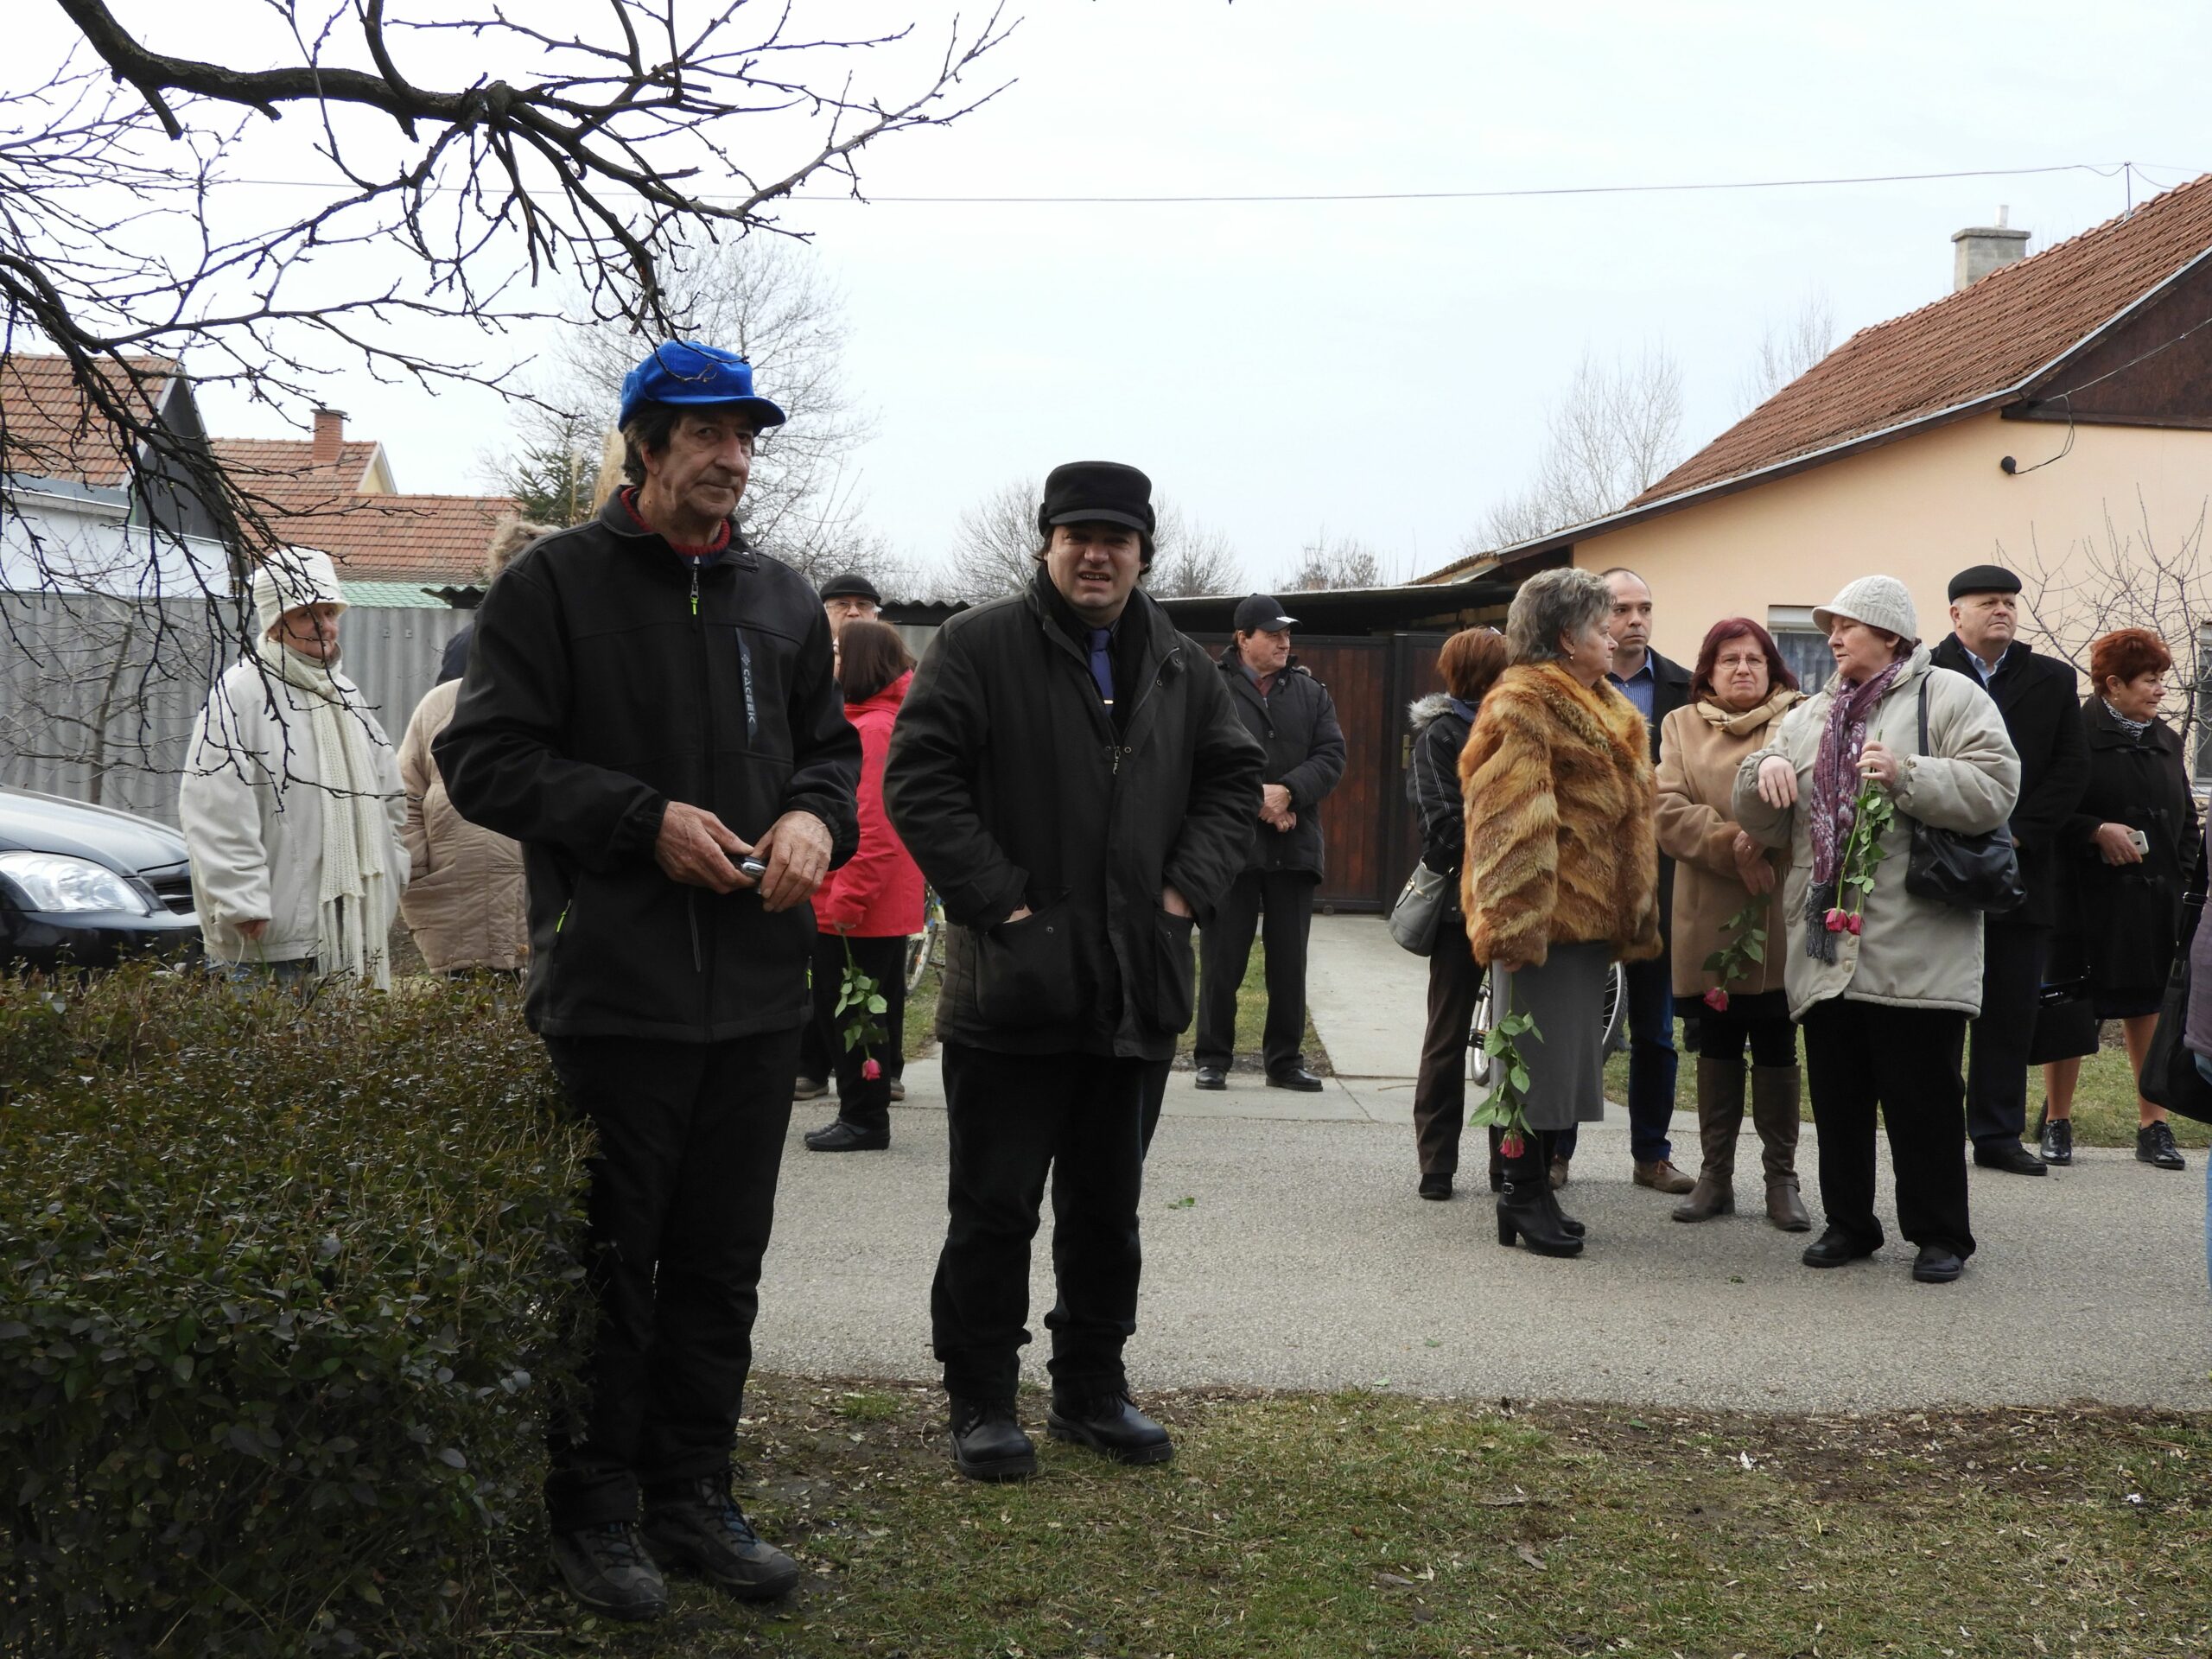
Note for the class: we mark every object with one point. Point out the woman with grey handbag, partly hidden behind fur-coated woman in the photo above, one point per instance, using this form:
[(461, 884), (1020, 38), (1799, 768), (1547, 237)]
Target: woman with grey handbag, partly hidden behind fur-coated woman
[(1470, 665)]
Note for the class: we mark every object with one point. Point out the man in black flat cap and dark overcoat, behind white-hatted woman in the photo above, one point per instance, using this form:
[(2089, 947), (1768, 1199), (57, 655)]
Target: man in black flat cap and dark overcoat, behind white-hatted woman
[(2043, 716)]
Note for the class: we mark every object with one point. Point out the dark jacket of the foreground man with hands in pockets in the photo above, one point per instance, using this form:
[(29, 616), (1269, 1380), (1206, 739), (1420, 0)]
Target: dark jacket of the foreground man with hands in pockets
[(1012, 786)]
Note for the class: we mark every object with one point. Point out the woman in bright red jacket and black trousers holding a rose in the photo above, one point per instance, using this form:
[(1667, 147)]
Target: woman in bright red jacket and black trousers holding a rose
[(870, 906)]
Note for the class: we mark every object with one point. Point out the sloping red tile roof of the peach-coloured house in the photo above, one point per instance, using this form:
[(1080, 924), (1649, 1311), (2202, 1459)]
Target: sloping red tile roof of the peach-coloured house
[(1968, 346)]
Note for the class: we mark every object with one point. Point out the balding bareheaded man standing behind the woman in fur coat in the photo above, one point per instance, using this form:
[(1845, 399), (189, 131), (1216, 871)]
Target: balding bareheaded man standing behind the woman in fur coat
[(1658, 689)]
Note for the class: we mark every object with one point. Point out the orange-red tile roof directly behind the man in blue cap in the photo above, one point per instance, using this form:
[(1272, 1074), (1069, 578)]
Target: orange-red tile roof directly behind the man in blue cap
[(373, 539)]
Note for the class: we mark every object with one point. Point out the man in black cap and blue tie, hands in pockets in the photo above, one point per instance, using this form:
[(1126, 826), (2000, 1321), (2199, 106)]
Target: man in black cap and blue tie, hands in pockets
[(1072, 778)]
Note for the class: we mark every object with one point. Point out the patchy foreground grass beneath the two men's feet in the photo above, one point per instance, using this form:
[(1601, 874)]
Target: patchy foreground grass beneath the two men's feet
[(1381, 1525)]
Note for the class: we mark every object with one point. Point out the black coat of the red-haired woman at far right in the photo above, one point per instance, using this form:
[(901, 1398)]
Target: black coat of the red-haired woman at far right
[(2125, 917)]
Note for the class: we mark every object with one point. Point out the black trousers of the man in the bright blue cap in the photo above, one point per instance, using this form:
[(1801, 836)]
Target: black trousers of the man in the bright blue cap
[(682, 1200)]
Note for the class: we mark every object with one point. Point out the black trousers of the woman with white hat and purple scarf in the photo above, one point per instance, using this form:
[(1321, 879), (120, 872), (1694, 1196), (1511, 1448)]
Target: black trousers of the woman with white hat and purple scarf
[(1864, 1056)]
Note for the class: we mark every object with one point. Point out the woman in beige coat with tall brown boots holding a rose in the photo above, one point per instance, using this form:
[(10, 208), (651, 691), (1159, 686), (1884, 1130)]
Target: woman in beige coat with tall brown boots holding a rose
[(1738, 693)]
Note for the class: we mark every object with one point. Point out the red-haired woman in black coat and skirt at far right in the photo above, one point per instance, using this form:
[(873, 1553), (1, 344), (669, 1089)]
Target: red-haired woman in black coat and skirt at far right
[(2127, 851)]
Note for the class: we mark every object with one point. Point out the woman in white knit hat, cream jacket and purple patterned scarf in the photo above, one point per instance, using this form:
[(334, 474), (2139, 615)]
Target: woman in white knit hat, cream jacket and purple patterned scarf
[(1881, 979)]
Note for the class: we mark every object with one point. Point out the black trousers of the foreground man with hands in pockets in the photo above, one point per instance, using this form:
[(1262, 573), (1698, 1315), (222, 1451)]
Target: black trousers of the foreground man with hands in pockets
[(1012, 1123)]
